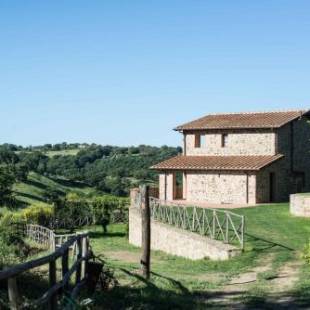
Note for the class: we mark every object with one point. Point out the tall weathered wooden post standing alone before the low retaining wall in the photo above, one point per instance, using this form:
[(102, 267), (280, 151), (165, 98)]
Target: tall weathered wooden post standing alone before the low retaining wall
[(146, 231)]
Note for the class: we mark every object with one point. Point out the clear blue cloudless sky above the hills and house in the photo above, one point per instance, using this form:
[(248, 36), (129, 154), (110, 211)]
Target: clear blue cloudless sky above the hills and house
[(126, 72)]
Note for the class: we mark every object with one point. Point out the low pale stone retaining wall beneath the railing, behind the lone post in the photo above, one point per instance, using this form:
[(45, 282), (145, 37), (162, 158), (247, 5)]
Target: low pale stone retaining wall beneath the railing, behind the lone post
[(178, 242)]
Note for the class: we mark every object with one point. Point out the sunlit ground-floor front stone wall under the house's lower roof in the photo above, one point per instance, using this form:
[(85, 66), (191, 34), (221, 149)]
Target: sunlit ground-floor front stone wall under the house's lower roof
[(221, 187)]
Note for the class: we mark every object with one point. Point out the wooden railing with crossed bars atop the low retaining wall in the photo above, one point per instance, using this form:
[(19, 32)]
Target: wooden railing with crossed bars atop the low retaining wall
[(222, 225)]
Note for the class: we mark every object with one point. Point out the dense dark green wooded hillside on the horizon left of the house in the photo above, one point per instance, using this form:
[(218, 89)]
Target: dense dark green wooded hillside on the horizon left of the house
[(110, 169)]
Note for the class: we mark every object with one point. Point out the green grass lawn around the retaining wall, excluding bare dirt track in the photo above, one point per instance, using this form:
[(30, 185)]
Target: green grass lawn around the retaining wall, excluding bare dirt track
[(274, 239)]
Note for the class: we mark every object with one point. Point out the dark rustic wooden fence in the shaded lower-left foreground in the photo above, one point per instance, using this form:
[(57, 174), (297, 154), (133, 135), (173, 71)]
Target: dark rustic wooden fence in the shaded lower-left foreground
[(57, 288)]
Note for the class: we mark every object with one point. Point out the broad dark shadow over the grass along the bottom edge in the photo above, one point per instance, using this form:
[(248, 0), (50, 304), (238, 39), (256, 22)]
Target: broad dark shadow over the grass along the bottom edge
[(171, 294)]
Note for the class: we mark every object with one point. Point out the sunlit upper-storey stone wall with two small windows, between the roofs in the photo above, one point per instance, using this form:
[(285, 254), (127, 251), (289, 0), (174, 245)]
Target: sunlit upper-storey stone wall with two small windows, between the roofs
[(238, 143)]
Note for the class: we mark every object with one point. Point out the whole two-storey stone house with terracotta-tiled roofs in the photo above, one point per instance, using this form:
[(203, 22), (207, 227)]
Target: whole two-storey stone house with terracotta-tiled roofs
[(240, 158)]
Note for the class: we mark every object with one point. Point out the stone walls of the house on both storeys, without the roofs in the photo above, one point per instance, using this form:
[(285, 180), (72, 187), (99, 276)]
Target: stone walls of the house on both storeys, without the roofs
[(273, 183)]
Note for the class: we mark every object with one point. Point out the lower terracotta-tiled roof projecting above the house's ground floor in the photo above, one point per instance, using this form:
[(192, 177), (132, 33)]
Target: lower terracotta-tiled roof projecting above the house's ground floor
[(182, 162)]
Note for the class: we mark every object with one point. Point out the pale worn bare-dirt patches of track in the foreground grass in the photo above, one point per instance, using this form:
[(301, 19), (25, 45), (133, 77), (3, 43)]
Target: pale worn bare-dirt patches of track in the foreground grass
[(233, 294)]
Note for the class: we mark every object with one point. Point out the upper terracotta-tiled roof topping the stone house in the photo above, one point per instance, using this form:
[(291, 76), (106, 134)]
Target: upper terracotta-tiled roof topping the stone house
[(244, 120)]
